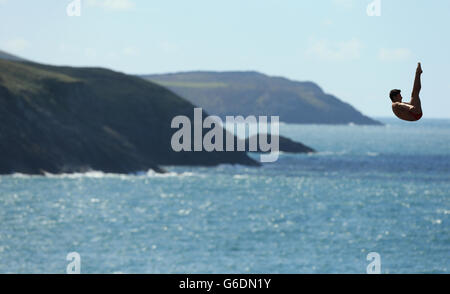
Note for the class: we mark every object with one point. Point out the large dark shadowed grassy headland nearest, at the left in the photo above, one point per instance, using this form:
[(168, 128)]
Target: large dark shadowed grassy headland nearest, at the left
[(63, 119)]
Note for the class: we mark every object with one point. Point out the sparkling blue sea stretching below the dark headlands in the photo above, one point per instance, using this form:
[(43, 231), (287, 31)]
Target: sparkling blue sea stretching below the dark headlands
[(367, 189)]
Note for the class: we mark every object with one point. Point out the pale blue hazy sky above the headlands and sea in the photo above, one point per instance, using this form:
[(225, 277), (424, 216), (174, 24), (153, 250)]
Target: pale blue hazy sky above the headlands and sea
[(356, 54)]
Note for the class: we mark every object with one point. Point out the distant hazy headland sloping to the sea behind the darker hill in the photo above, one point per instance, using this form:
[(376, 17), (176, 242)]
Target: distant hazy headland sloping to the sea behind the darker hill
[(253, 93)]
